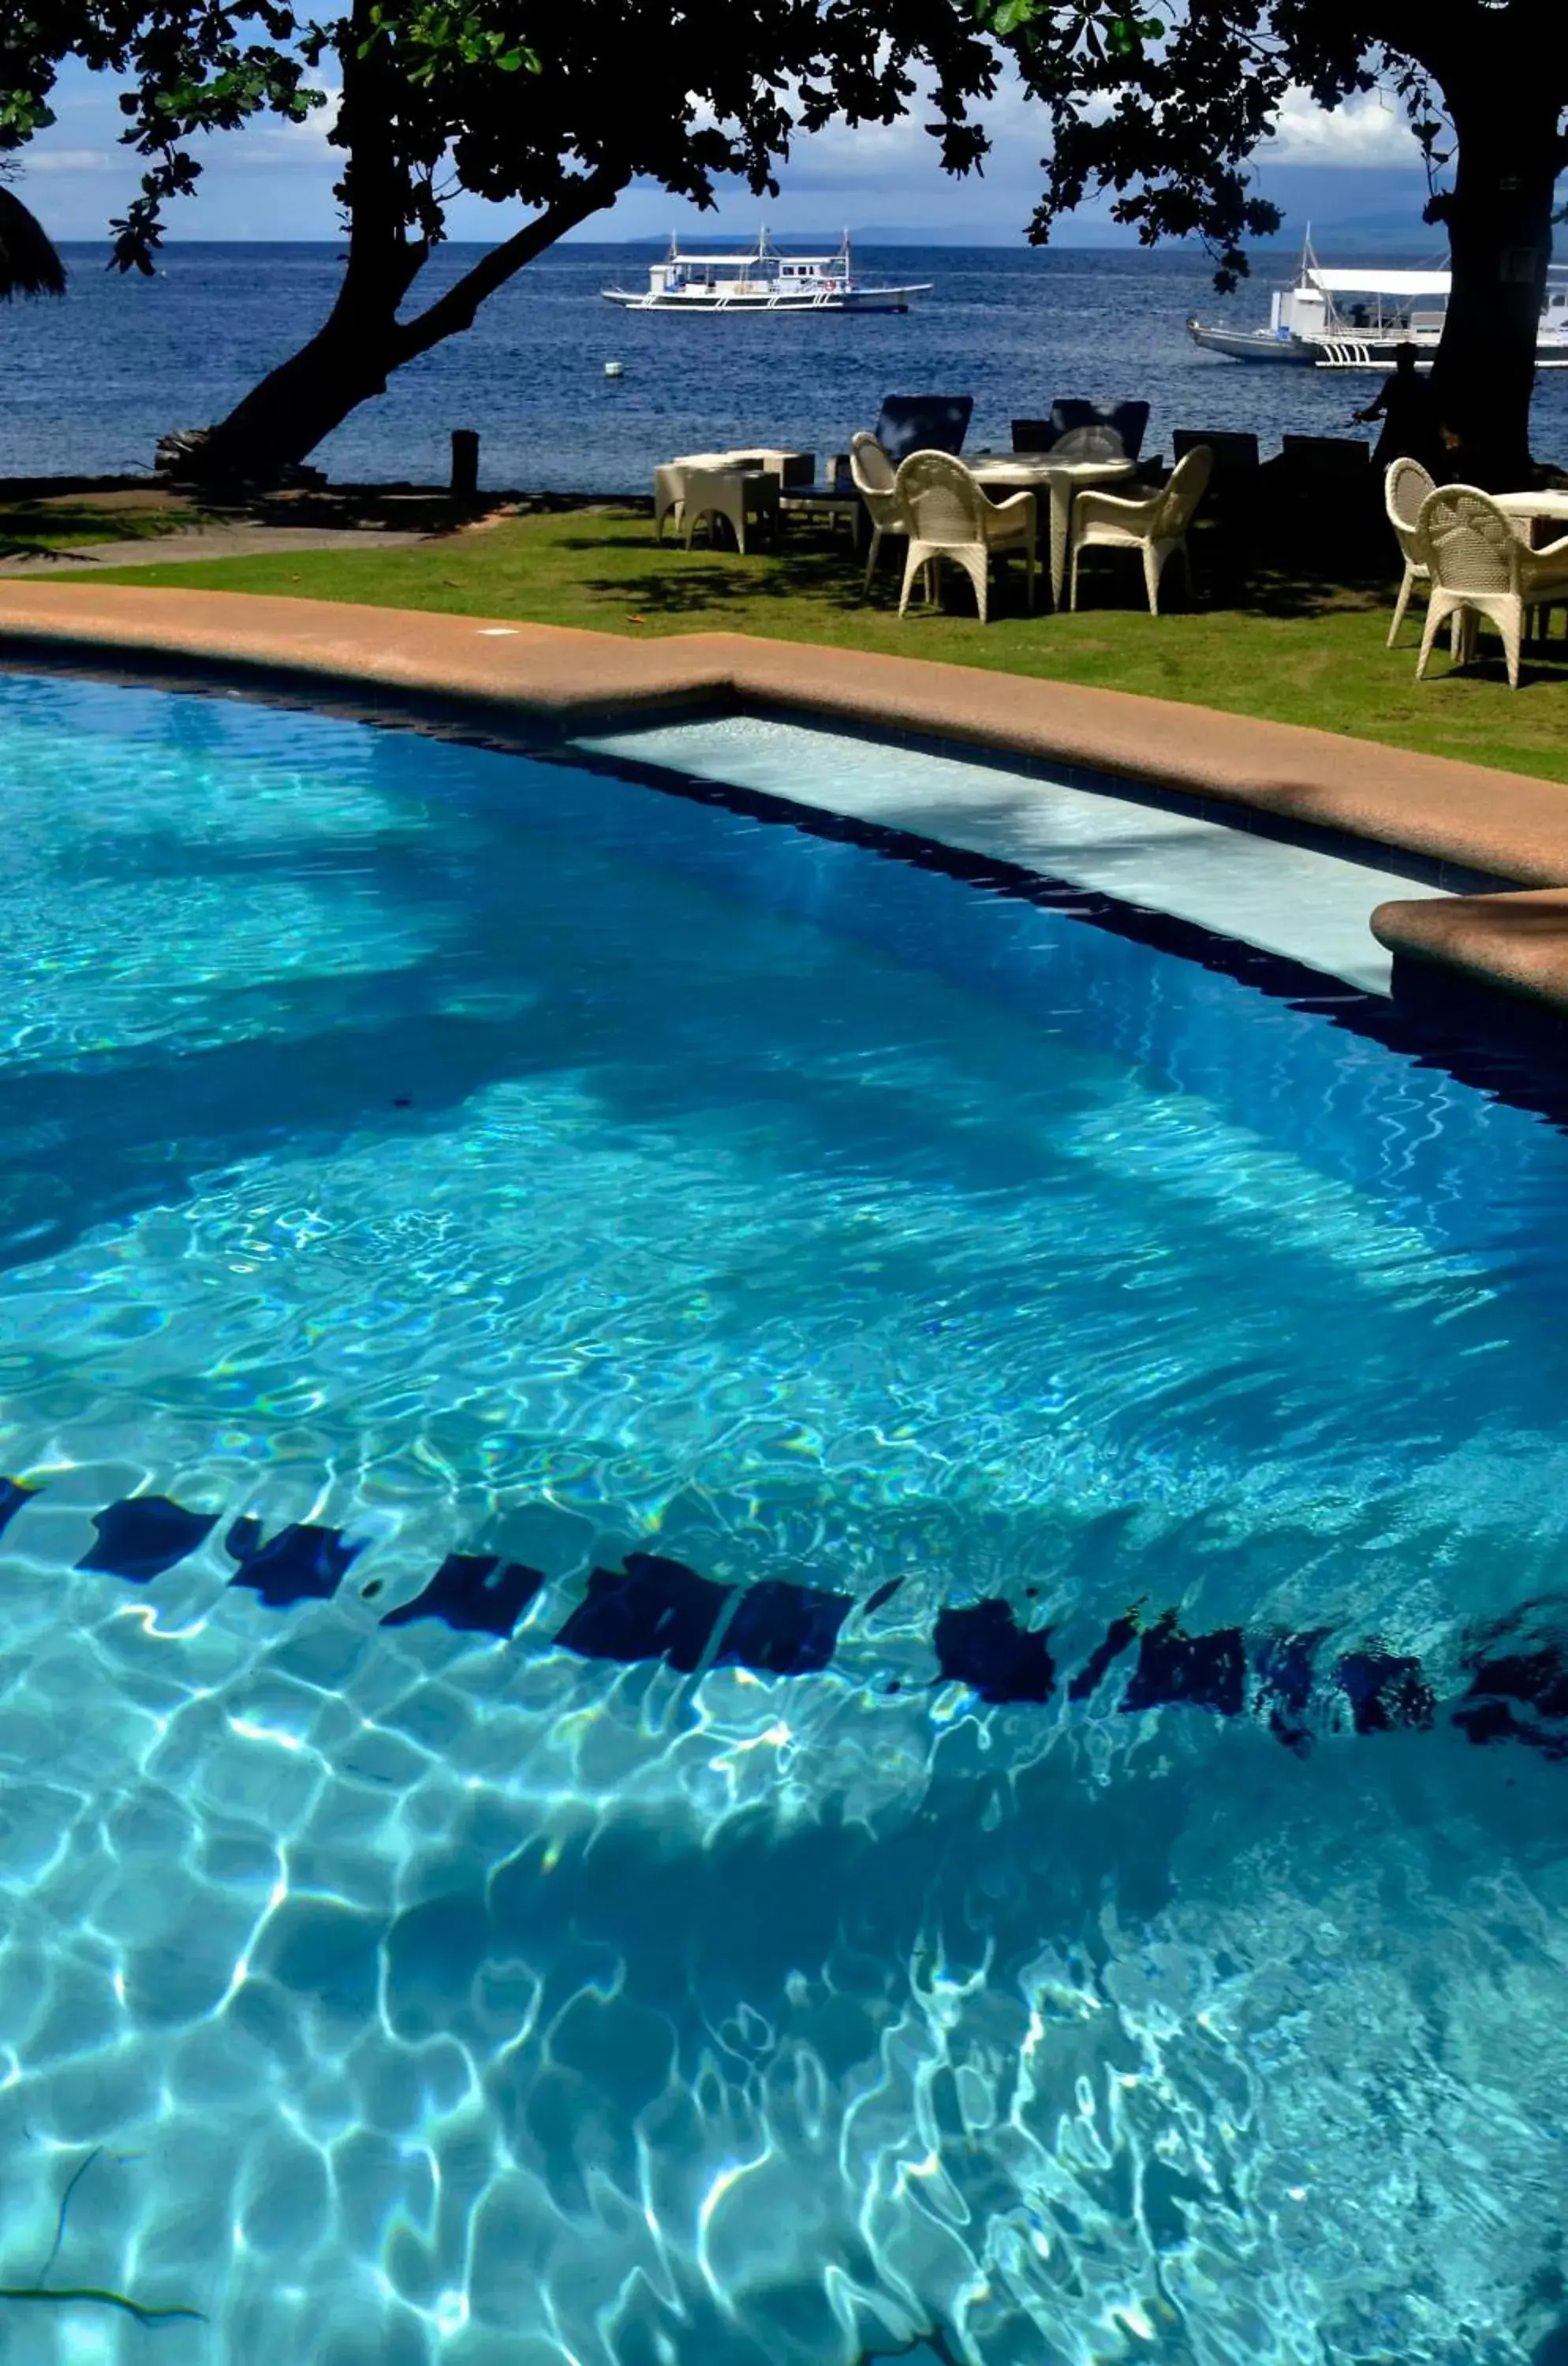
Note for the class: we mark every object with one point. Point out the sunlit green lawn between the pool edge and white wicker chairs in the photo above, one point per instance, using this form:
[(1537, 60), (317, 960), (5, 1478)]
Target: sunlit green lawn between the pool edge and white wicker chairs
[(1274, 642)]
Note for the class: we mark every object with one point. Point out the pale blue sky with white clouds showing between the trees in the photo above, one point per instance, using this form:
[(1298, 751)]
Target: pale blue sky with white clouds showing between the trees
[(276, 181)]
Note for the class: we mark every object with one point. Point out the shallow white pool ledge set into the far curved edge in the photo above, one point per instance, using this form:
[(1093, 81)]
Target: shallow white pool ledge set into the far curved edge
[(1290, 900)]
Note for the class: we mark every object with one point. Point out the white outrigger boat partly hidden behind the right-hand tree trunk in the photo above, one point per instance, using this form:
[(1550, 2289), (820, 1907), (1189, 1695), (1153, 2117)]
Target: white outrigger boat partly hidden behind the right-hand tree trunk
[(1359, 318)]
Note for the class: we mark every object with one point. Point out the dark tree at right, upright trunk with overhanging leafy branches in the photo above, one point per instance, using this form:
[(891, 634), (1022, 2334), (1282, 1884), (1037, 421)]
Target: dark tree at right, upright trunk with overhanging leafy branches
[(1167, 110)]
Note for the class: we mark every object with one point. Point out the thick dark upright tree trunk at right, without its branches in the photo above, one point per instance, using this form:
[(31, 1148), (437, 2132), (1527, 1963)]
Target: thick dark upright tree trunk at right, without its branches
[(1501, 240)]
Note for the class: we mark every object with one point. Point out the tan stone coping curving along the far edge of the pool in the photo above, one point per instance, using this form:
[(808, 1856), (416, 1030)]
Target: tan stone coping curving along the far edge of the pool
[(1458, 817)]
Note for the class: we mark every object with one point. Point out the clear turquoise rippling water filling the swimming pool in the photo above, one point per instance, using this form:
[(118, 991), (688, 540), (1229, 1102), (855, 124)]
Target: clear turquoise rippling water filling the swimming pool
[(420, 1151)]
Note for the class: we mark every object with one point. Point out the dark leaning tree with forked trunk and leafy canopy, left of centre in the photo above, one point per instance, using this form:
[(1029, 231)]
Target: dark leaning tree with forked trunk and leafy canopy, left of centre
[(559, 110)]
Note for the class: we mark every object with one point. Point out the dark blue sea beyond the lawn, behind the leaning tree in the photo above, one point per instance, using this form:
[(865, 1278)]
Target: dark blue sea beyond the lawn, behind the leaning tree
[(93, 382)]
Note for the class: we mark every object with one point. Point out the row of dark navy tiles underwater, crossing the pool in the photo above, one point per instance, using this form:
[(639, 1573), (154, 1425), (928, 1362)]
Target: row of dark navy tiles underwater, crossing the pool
[(659, 1610)]
